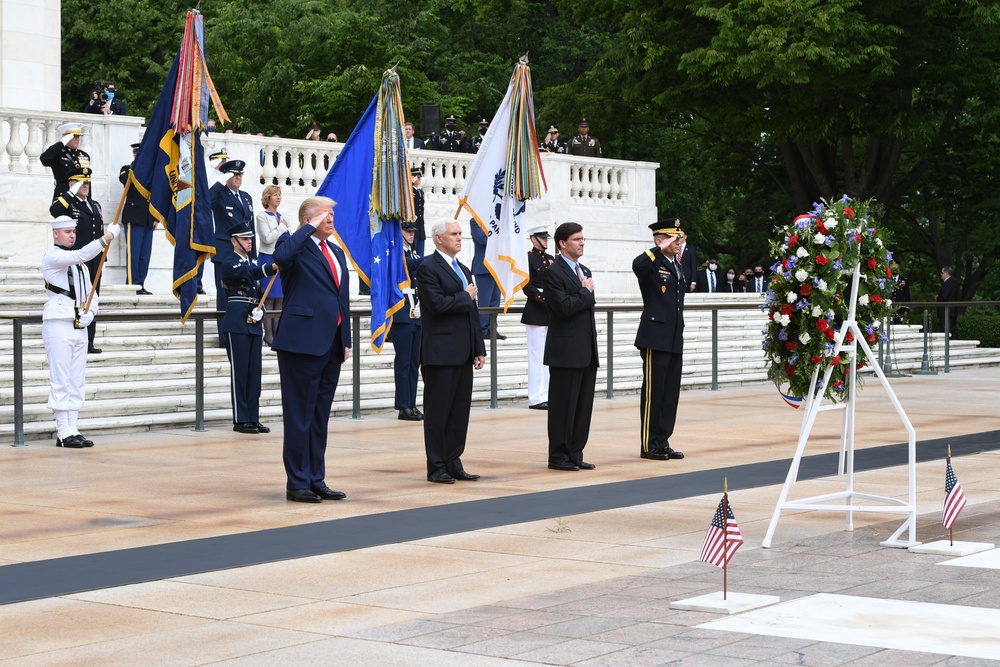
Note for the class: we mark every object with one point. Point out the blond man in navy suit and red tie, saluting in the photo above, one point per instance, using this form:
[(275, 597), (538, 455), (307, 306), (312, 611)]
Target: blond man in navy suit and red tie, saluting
[(312, 341)]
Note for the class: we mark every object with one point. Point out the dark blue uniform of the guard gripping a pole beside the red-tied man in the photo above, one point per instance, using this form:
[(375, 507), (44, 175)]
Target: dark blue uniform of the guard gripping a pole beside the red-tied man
[(241, 282)]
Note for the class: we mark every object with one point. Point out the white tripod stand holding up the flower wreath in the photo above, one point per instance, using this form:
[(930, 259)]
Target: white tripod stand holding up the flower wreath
[(814, 405)]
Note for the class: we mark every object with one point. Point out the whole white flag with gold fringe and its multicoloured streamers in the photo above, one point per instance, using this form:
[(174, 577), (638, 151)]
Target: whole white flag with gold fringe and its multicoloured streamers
[(506, 173)]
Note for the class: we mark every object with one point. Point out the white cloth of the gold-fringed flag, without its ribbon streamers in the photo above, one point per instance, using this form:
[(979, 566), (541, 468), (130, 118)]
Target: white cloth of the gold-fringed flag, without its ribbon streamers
[(500, 215)]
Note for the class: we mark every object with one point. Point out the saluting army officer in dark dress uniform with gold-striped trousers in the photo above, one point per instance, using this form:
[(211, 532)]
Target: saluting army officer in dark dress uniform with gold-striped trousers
[(660, 339)]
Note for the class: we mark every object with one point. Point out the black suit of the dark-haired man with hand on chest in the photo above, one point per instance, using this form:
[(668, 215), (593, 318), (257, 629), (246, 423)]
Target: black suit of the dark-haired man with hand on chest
[(572, 358)]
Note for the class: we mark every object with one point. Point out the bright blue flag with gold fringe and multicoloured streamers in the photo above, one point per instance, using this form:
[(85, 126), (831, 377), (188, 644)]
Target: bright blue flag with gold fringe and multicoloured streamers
[(370, 181)]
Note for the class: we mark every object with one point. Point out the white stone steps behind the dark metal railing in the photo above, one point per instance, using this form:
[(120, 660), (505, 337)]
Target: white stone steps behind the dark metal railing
[(145, 377)]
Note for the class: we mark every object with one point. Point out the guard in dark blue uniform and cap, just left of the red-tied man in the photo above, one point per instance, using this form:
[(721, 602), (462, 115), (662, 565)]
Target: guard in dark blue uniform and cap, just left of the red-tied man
[(242, 327)]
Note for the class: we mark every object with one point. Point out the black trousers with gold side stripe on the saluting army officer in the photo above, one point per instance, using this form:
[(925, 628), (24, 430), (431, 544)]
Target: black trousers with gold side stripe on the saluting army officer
[(661, 389)]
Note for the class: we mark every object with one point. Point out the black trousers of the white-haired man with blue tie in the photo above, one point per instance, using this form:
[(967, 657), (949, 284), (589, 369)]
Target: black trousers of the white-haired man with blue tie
[(447, 401)]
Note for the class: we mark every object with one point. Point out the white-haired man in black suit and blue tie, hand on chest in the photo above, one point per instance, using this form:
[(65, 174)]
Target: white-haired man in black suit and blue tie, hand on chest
[(451, 347)]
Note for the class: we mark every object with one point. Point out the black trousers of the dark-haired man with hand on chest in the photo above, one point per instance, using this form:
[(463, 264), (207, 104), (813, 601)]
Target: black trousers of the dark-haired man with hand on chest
[(571, 405)]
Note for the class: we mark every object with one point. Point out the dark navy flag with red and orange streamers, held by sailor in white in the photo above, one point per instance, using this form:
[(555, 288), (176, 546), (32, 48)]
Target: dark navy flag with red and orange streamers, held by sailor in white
[(169, 167)]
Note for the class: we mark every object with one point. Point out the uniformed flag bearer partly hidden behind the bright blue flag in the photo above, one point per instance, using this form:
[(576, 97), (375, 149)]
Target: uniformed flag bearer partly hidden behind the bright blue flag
[(406, 335)]
